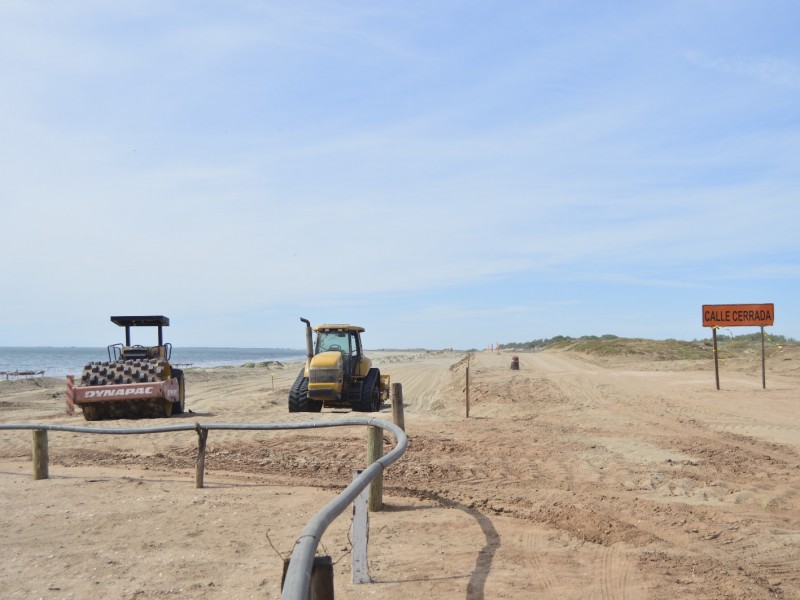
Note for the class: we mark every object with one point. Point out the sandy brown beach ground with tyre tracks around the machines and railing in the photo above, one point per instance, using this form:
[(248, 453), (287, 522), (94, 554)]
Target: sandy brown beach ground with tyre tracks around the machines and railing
[(574, 477)]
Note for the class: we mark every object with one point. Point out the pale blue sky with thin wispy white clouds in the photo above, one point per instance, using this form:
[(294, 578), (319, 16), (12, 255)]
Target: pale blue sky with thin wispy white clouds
[(446, 174)]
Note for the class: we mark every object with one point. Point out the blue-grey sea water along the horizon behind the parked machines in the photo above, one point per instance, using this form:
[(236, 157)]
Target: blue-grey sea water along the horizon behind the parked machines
[(60, 362)]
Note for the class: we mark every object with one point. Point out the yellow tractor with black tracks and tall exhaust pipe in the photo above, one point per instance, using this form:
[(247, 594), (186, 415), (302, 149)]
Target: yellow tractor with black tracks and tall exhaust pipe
[(336, 373)]
